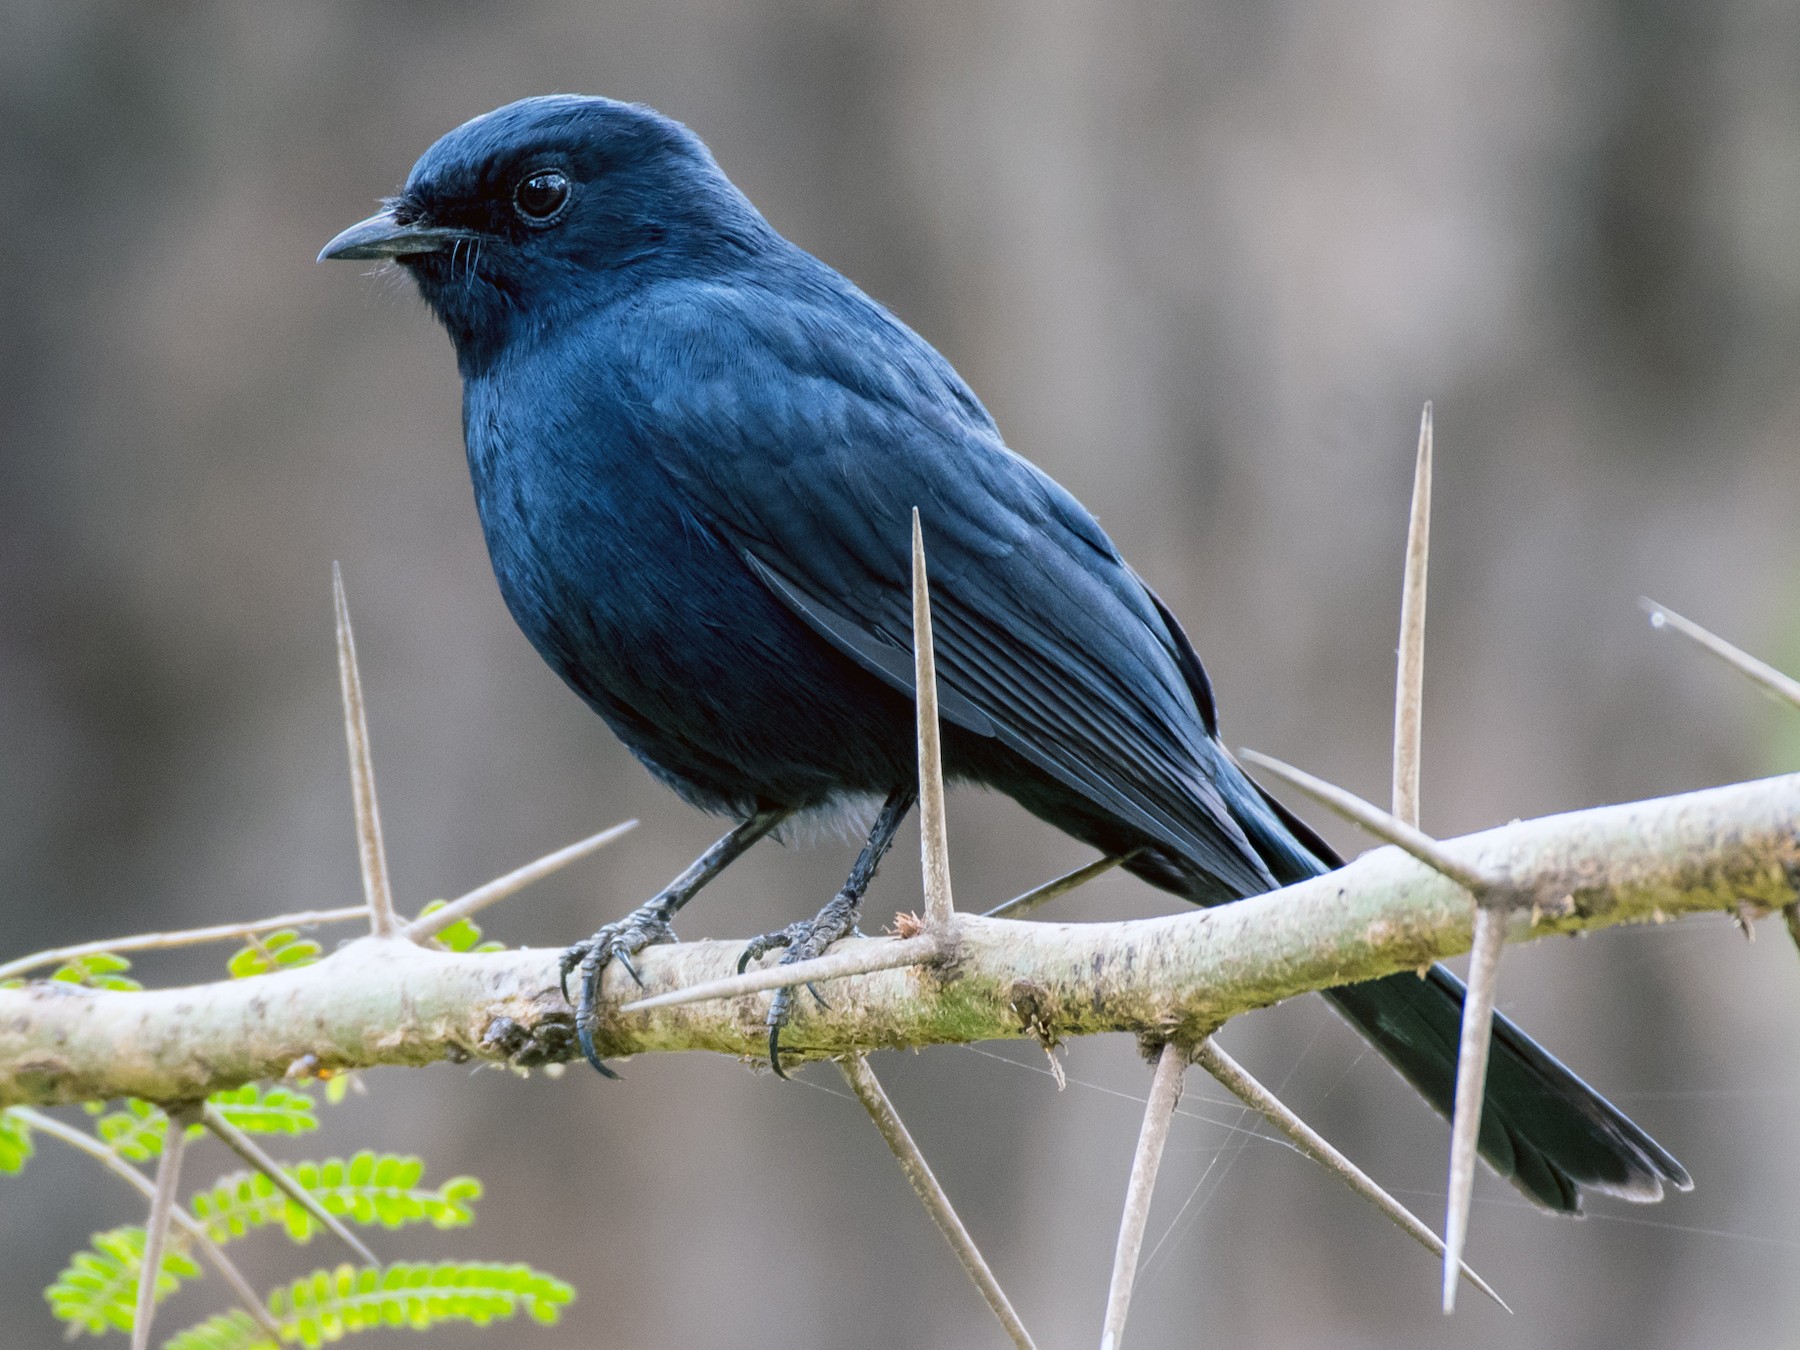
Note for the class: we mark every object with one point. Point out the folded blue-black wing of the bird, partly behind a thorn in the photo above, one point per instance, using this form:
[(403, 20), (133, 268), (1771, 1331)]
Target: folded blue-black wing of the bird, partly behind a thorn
[(809, 429)]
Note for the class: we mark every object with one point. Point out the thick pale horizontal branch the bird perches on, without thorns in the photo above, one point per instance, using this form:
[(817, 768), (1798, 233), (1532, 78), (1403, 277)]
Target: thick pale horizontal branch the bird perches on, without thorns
[(390, 1002)]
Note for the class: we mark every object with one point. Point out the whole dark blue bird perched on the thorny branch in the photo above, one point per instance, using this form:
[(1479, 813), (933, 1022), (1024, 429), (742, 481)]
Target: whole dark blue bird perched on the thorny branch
[(696, 454)]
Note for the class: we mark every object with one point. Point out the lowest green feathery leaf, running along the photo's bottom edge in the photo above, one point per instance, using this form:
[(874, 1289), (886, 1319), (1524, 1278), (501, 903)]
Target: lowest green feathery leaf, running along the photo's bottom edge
[(328, 1306)]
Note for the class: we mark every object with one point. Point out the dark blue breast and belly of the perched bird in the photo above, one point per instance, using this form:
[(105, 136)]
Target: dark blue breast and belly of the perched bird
[(642, 606)]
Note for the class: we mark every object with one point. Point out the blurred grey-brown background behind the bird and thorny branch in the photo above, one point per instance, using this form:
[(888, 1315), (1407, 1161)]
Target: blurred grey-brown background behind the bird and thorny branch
[(1205, 262)]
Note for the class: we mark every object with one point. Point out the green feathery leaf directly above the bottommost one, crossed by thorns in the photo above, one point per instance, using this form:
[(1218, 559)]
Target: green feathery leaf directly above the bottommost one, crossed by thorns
[(368, 1189)]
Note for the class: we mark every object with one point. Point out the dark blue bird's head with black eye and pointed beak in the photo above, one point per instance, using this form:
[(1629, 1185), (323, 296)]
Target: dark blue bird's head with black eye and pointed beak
[(552, 206)]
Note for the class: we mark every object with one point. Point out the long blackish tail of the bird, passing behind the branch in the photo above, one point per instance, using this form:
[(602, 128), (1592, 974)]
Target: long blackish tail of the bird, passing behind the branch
[(1543, 1129)]
